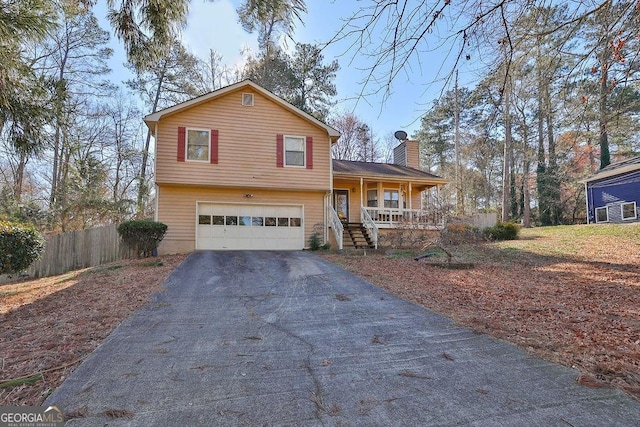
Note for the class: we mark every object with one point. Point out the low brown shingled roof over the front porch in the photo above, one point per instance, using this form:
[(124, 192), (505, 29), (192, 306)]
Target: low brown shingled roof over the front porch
[(382, 170)]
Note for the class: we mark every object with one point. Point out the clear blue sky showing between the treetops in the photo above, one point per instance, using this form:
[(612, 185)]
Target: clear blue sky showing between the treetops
[(214, 25)]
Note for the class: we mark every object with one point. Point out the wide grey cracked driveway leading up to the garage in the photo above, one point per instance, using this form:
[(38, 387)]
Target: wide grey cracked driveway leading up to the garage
[(285, 338)]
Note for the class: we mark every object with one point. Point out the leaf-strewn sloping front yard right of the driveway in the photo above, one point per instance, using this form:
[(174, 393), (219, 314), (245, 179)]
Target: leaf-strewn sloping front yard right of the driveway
[(570, 294)]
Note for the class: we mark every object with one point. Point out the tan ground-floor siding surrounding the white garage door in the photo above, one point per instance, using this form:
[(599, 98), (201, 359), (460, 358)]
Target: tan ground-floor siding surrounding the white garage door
[(177, 209)]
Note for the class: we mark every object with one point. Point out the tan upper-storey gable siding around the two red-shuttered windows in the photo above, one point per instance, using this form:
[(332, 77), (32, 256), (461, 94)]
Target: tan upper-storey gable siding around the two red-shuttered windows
[(247, 146)]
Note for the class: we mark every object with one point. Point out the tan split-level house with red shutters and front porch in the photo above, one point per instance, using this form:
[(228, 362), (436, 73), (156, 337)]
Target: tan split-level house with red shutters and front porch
[(240, 168)]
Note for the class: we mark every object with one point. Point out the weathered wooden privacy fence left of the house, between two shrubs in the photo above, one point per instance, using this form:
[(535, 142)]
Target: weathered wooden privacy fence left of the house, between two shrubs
[(78, 249)]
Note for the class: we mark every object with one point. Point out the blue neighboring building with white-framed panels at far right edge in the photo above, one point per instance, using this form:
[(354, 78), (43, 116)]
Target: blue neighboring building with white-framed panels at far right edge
[(613, 193)]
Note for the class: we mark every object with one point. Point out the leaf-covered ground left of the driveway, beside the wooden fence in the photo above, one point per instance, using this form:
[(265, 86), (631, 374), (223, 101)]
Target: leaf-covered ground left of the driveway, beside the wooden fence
[(50, 325)]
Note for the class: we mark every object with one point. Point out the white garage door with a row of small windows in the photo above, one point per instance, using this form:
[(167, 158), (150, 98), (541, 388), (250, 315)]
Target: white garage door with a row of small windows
[(249, 226)]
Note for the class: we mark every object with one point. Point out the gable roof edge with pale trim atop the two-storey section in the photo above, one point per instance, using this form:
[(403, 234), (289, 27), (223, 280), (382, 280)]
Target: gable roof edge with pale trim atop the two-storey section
[(154, 118)]
